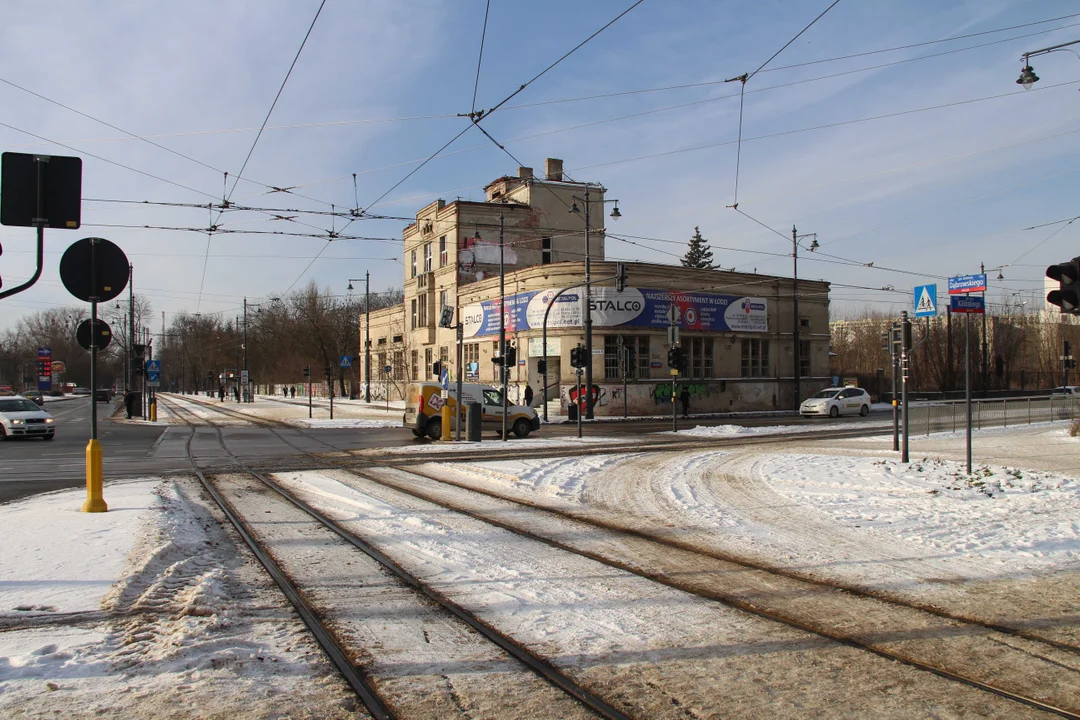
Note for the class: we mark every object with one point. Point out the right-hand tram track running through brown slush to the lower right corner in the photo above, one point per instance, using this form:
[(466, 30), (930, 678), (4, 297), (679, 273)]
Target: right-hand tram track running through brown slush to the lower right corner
[(1050, 668)]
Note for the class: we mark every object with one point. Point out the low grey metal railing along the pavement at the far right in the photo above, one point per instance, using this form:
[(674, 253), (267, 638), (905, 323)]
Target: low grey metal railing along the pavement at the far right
[(953, 417)]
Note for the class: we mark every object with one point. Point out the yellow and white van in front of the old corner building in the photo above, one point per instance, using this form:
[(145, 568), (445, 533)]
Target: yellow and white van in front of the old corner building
[(424, 409)]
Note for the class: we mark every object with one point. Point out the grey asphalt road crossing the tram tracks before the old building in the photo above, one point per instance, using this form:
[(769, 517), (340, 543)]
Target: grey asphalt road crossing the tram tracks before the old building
[(31, 467)]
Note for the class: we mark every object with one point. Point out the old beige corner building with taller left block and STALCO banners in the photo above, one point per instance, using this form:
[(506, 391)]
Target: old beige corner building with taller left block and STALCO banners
[(738, 330)]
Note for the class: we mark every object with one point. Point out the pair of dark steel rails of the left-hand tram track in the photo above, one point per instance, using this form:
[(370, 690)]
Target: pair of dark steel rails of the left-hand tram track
[(339, 655)]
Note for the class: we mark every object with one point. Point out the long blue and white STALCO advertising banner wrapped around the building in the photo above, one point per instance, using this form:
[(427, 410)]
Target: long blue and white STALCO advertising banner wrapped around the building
[(632, 308)]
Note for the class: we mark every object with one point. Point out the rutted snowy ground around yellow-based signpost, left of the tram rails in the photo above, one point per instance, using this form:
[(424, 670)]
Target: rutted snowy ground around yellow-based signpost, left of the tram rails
[(169, 620)]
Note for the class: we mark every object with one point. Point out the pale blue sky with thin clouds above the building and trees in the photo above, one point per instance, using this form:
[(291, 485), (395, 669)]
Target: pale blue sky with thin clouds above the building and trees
[(912, 158)]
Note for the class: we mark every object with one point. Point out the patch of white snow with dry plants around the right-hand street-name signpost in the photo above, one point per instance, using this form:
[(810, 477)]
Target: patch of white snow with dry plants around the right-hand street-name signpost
[(1007, 519)]
